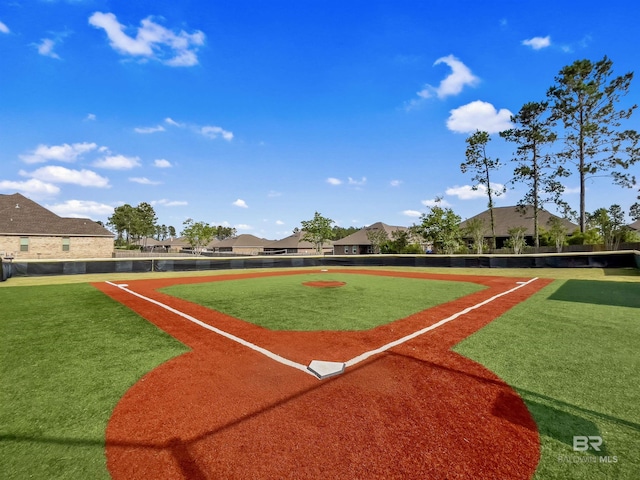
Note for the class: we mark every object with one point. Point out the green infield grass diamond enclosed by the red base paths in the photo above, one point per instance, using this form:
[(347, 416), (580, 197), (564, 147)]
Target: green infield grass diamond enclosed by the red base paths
[(284, 303)]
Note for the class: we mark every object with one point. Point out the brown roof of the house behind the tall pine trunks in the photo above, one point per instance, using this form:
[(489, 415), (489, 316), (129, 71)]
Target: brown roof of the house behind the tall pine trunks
[(506, 218)]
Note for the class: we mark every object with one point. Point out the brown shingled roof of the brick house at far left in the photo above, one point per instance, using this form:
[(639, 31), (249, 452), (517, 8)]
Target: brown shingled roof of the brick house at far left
[(22, 216)]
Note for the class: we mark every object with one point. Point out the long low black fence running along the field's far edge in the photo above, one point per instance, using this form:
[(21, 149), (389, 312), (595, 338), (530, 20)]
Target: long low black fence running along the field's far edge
[(626, 259)]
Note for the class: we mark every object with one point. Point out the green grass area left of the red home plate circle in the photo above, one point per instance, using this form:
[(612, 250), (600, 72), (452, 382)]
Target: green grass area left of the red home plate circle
[(67, 355)]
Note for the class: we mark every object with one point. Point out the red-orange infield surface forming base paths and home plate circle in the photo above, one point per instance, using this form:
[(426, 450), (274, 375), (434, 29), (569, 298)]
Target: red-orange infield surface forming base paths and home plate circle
[(418, 410)]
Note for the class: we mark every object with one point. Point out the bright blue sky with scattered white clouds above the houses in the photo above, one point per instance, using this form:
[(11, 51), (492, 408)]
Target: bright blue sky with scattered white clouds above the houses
[(257, 114)]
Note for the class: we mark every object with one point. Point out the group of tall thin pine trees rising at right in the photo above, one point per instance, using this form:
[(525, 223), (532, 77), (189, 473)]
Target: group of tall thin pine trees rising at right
[(581, 113)]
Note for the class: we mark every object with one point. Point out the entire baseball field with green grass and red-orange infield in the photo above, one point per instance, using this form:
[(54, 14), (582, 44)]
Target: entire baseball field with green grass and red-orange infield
[(322, 373)]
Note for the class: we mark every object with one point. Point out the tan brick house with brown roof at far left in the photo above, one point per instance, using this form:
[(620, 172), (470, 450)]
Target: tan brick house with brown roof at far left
[(30, 231)]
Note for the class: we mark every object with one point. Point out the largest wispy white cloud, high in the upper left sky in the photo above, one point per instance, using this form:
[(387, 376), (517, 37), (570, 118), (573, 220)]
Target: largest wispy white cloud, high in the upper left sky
[(151, 41)]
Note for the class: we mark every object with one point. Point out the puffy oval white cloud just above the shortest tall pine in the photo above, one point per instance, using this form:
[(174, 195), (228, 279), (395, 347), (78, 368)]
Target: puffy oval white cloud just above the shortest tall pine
[(479, 115)]
